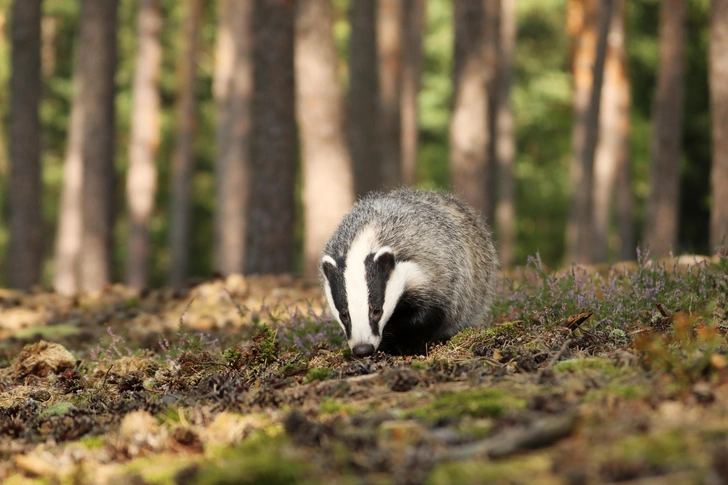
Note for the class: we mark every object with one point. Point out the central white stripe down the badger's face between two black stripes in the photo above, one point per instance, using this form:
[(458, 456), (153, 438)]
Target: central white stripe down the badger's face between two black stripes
[(357, 293)]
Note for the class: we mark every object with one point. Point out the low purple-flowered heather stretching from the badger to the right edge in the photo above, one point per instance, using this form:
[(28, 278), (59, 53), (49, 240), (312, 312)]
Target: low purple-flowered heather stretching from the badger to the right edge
[(621, 298)]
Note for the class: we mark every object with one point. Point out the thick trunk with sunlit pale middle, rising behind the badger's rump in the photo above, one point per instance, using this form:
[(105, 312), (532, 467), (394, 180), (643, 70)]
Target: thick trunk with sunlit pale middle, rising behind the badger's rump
[(469, 119)]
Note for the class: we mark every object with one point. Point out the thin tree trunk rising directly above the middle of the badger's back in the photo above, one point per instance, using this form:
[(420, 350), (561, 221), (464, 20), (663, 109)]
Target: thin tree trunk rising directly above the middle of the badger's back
[(413, 16)]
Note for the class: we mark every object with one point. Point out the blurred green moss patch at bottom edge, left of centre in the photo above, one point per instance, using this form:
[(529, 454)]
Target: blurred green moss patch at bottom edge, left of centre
[(264, 460)]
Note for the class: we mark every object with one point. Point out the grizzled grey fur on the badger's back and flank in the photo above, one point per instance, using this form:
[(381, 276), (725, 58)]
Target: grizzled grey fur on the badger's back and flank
[(443, 236)]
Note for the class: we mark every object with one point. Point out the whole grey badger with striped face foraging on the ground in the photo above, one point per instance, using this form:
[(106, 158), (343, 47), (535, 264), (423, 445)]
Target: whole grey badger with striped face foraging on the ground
[(408, 267)]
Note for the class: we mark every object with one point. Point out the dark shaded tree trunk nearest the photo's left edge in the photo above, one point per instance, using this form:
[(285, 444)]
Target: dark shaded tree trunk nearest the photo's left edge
[(25, 256)]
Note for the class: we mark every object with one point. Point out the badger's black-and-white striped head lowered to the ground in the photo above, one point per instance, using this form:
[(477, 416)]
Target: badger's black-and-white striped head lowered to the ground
[(363, 290)]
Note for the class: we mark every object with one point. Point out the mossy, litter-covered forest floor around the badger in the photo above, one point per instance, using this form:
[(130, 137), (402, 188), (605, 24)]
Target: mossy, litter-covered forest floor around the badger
[(587, 375)]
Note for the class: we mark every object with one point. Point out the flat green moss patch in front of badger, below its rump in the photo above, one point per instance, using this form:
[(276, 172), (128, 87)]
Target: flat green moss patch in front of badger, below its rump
[(478, 404)]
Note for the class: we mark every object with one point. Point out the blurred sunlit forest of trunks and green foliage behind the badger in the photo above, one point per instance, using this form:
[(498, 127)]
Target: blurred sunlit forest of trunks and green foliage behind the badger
[(156, 142)]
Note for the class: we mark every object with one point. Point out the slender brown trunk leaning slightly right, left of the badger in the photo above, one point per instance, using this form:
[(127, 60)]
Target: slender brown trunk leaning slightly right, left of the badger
[(183, 157)]
